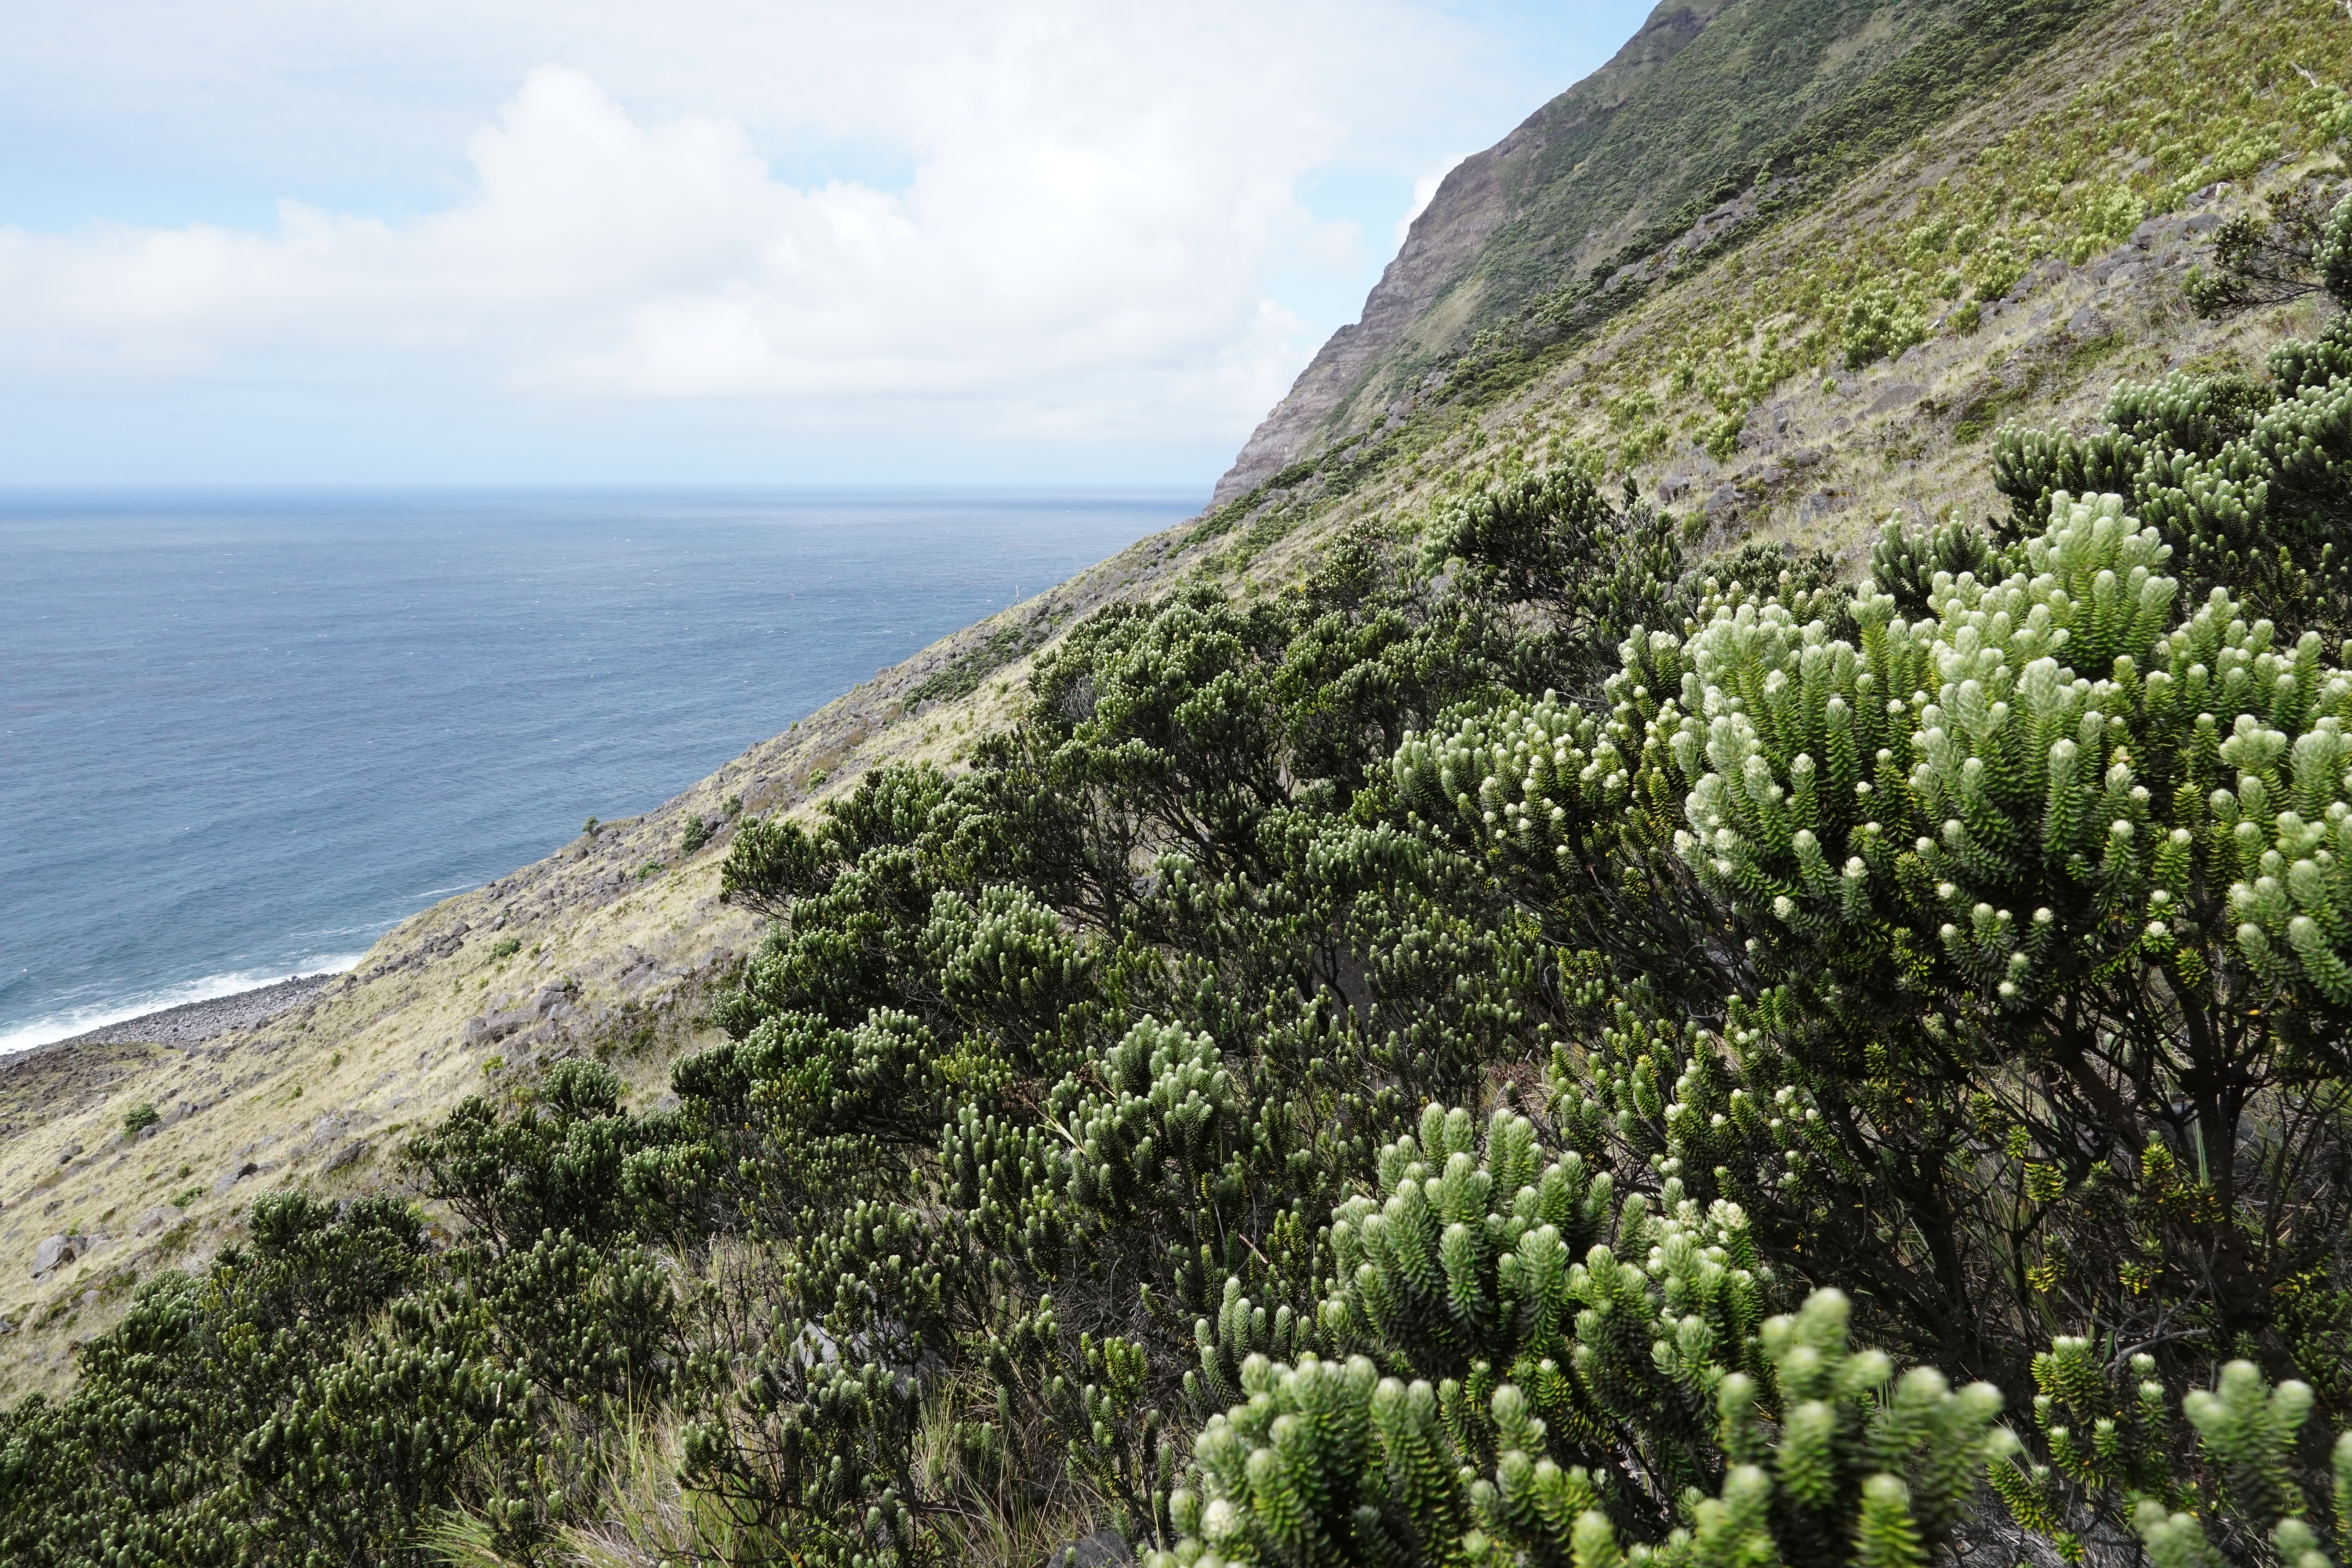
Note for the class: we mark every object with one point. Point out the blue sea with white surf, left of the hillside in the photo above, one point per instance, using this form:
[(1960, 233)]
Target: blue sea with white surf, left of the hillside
[(246, 735)]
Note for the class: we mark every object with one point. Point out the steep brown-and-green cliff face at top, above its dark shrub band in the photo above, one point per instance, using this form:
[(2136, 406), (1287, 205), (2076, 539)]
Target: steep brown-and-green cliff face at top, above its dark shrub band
[(1681, 121)]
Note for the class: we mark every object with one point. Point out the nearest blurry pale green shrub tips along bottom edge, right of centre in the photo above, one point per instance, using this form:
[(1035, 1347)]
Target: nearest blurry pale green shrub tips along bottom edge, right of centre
[(1332, 1463)]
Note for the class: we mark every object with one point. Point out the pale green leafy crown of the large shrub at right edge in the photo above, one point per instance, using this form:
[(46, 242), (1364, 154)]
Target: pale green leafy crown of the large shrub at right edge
[(2026, 782)]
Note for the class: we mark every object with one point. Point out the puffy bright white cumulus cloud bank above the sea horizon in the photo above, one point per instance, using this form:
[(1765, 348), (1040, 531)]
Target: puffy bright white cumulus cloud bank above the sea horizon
[(601, 257)]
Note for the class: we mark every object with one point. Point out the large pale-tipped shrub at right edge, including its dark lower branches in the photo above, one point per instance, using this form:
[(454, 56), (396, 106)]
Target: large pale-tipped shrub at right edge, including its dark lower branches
[(2052, 822)]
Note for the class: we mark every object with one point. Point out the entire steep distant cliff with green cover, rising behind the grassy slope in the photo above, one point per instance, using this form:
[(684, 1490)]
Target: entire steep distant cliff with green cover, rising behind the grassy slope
[(1711, 119)]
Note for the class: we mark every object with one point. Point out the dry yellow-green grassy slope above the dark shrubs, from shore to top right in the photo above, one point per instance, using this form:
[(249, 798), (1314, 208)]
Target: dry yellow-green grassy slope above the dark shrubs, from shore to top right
[(340, 1080)]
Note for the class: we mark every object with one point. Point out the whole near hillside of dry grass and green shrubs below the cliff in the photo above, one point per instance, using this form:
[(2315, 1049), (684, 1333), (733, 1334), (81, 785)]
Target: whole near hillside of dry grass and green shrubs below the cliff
[(1394, 986)]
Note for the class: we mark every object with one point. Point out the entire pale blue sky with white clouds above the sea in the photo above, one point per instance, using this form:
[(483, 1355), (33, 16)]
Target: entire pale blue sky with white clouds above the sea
[(714, 241)]
